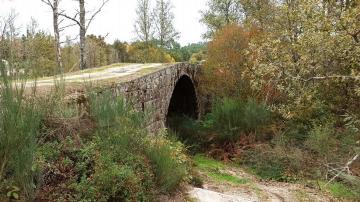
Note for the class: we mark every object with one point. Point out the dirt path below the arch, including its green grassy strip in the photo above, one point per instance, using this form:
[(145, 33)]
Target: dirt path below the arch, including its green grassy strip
[(248, 188)]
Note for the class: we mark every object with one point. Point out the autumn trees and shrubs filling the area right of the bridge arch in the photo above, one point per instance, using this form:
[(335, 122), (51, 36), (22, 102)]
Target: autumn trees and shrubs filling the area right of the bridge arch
[(299, 59)]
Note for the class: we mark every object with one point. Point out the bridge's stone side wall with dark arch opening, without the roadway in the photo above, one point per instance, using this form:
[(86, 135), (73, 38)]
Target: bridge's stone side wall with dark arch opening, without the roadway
[(166, 92)]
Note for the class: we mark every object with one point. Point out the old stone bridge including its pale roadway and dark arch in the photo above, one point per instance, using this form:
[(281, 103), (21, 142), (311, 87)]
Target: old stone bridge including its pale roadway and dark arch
[(161, 89)]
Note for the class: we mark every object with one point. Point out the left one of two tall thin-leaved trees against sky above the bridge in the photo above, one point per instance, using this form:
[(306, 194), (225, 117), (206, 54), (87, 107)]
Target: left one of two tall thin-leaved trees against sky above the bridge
[(144, 22)]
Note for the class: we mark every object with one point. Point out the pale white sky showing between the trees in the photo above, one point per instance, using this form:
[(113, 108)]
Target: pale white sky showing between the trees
[(116, 19)]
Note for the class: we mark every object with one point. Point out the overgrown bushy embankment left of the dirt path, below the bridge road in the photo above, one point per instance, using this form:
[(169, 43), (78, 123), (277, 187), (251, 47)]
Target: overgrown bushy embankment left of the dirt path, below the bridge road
[(53, 150)]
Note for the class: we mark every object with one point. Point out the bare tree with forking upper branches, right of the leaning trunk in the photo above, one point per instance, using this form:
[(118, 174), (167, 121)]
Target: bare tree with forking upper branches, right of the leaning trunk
[(83, 24)]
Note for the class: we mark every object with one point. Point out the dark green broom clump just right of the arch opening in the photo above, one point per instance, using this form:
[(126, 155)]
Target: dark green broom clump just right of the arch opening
[(231, 118)]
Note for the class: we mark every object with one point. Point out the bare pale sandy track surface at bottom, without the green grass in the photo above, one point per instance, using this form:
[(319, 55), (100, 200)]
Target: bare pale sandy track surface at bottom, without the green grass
[(255, 191)]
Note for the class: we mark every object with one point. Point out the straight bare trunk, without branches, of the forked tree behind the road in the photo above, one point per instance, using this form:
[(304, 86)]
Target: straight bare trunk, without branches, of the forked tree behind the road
[(82, 35)]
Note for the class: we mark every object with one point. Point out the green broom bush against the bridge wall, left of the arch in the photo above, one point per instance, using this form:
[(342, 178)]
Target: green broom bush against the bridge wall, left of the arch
[(128, 165)]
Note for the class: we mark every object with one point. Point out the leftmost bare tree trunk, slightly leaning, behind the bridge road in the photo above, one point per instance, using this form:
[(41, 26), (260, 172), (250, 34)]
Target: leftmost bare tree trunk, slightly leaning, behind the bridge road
[(57, 35)]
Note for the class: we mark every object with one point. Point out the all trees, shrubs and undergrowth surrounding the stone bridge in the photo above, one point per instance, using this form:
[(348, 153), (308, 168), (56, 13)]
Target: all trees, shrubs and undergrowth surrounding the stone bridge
[(279, 80)]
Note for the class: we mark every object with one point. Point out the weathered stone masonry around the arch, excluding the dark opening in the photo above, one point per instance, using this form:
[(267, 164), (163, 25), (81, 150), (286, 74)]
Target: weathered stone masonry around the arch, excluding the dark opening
[(153, 92)]
